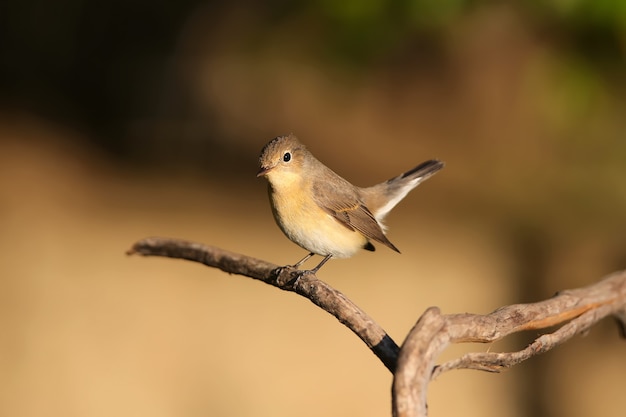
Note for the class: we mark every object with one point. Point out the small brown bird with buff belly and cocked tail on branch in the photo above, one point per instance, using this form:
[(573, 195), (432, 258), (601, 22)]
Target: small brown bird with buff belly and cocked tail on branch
[(322, 212)]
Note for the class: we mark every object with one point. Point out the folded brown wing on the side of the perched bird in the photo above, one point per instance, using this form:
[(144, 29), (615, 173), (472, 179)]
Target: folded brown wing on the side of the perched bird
[(346, 207)]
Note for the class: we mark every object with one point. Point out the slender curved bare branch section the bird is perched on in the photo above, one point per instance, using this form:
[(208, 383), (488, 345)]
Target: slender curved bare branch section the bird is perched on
[(285, 278)]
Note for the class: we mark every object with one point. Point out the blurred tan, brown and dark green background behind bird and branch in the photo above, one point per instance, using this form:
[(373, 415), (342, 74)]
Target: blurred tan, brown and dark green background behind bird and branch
[(121, 120)]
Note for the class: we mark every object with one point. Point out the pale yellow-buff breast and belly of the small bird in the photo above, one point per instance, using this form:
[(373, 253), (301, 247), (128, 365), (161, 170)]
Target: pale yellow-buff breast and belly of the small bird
[(307, 225)]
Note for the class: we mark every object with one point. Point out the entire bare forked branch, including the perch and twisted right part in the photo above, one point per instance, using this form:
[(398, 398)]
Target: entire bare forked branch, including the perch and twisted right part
[(414, 364)]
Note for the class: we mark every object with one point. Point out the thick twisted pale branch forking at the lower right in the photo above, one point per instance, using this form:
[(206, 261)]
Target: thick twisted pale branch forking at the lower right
[(579, 309)]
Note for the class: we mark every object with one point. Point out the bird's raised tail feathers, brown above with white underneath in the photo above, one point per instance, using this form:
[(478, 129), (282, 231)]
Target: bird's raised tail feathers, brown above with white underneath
[(383, 197)]
